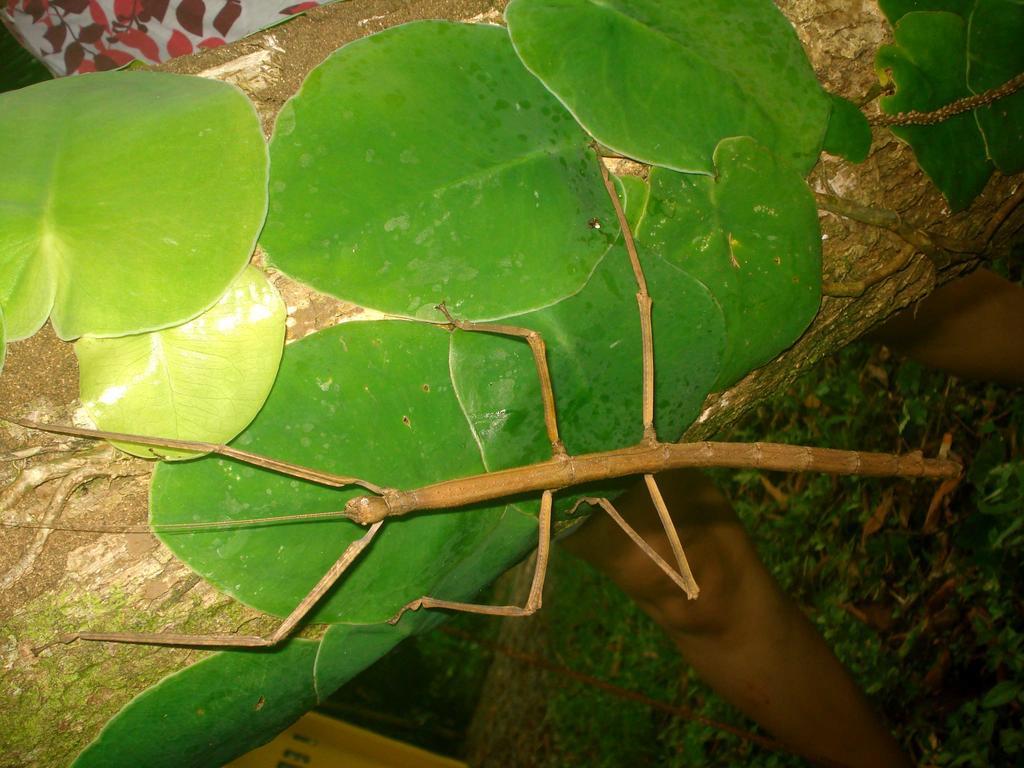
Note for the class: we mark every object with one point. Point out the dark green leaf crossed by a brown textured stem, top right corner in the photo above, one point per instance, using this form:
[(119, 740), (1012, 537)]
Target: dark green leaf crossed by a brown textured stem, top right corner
[(940, 58)]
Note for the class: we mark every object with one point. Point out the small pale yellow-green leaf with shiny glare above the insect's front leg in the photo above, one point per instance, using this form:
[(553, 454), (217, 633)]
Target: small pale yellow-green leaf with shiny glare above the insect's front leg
[(204, 380)]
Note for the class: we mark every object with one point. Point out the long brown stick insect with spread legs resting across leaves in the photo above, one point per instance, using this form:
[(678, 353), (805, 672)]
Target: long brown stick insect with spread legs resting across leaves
[(561, 472)]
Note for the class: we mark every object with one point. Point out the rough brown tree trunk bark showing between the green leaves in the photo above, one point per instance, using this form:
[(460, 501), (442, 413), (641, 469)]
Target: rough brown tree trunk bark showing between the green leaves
[(55, 582)]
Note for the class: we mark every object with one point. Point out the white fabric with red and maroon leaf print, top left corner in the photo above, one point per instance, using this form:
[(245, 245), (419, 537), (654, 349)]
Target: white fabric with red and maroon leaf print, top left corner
[(78, 36)]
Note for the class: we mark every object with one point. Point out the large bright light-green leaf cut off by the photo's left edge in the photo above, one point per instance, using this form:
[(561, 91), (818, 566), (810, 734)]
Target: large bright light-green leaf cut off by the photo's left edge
[(130, 201)]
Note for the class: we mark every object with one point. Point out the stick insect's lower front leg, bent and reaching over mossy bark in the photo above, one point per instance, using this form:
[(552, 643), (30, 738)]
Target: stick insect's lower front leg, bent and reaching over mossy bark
[(238, 642)]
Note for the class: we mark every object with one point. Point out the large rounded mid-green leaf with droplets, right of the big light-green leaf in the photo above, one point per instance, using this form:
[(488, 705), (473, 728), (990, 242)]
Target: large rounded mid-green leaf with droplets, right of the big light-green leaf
[(424, 164)]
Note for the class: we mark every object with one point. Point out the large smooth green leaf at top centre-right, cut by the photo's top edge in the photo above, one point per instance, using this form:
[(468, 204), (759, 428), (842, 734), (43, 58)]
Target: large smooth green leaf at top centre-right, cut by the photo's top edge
[(663, 82)]
